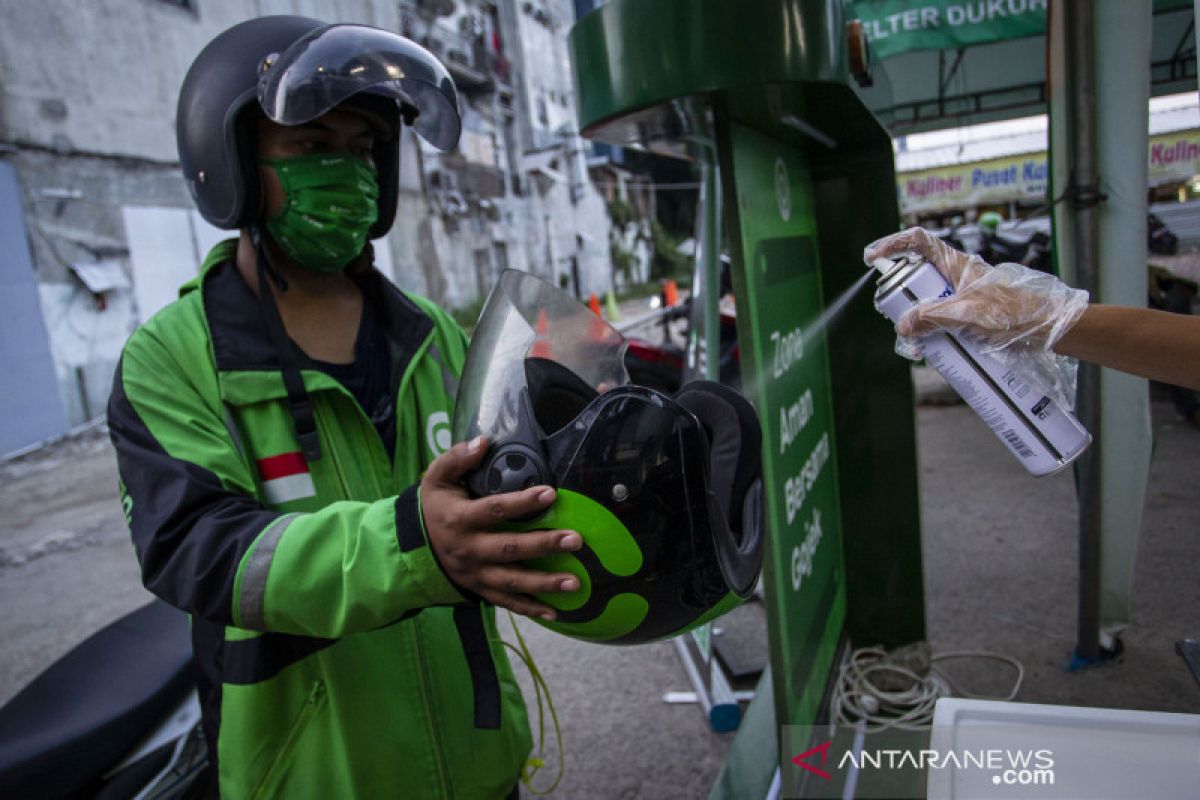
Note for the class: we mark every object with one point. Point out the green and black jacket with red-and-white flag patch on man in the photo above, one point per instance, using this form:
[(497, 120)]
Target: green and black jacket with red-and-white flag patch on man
[(335, 658)]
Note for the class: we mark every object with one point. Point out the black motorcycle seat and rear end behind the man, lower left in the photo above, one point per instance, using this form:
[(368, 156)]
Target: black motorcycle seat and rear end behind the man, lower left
[(117, 717)]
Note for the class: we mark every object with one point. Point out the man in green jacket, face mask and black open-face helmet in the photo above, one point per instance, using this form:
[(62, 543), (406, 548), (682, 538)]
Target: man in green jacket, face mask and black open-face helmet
[(273, 428)]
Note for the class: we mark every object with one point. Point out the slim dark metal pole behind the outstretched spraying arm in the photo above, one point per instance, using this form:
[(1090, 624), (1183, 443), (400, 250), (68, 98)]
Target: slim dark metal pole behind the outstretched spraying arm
[(1084, 199)]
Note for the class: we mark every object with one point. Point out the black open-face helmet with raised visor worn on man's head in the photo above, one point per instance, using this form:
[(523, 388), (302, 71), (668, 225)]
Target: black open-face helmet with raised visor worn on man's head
[(293, 70)]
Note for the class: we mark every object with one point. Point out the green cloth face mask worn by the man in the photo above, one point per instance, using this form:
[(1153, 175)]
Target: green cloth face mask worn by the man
[(328, 209)]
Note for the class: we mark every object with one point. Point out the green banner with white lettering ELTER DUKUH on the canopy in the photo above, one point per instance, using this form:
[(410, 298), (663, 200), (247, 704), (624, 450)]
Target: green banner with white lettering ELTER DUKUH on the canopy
[(897, 27)]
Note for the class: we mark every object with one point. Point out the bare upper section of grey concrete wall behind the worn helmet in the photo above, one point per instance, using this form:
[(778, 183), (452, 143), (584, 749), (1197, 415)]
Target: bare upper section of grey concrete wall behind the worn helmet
[(103, 77)]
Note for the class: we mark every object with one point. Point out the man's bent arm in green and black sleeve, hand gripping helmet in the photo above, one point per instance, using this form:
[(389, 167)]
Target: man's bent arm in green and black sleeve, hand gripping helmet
[(211, 549)]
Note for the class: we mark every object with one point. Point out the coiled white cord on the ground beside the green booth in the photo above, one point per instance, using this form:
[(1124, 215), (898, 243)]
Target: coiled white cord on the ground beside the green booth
[(857, 699)]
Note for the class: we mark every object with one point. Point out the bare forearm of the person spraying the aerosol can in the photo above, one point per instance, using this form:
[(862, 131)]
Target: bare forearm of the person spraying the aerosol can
[(1155, 345)]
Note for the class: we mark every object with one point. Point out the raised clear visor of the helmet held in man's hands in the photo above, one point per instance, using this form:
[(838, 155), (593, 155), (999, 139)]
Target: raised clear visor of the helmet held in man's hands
[(526, 318)]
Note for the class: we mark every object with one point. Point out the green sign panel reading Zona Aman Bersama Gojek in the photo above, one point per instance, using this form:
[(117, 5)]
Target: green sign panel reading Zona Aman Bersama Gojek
[(787, 374)]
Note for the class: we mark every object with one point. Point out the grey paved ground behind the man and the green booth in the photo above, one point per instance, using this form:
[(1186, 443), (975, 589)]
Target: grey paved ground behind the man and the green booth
[(1000, 563)]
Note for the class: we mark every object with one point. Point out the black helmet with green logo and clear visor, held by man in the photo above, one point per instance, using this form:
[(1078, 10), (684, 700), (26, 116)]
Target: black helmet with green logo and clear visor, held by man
[(667, 492)]
